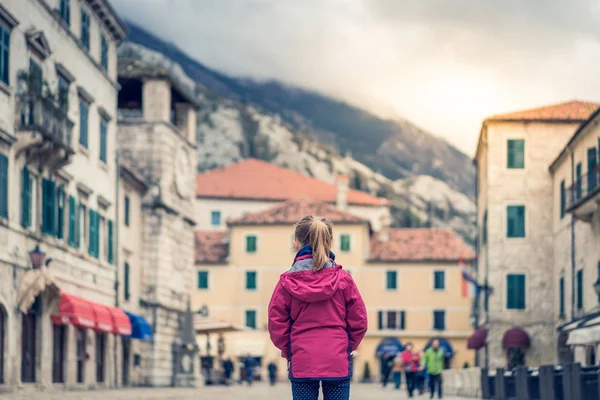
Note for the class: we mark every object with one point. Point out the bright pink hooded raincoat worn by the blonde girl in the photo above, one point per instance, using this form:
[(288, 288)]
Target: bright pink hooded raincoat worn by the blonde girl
[(317, 319)]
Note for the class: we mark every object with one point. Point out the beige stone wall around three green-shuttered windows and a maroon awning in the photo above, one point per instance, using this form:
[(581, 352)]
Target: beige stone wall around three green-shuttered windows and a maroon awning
[(532, 255)]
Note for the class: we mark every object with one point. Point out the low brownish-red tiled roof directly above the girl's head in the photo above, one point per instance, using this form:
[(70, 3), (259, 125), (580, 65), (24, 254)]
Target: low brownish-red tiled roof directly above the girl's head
[(291, 212)]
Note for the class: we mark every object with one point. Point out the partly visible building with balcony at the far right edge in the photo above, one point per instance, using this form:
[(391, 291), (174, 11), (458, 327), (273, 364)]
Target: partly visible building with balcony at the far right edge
[(576, 221)]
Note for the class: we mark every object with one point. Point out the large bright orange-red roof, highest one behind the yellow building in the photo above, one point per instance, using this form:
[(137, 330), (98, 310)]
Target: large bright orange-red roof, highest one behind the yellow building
[(256, 179)]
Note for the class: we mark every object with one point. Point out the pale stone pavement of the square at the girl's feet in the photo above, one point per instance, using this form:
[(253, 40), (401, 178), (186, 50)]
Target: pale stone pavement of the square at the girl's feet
[(257, 392)]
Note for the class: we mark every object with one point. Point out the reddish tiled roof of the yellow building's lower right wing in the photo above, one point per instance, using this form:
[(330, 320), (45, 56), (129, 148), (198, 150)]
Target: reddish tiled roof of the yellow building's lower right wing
[(420, 244)]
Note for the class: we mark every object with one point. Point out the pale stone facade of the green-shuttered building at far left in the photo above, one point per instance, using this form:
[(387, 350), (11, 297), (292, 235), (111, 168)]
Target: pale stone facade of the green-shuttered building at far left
[(39, 36)]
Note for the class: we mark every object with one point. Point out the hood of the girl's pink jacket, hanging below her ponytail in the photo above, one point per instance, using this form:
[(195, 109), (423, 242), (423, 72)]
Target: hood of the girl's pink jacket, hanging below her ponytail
[(312, 286)]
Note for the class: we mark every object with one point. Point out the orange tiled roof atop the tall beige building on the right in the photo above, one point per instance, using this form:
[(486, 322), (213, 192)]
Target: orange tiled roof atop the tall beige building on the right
[(571, 111)]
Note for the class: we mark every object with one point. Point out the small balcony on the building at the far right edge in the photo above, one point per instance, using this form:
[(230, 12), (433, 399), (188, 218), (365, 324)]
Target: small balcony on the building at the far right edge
[(583, 198)]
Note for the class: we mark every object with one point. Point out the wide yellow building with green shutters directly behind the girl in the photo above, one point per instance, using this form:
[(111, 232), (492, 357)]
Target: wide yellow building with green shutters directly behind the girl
[(410, 280)]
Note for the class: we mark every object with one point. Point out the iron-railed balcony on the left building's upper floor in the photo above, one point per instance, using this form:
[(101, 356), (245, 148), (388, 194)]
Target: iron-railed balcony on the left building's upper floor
[(46, 133)]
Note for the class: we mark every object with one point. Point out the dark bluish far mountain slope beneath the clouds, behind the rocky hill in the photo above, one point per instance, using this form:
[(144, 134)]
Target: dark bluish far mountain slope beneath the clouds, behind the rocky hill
[(397, 149)]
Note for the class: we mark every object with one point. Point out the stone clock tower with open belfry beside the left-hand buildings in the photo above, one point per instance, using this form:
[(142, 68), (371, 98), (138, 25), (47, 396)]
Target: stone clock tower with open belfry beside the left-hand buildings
[(156, 138)]
